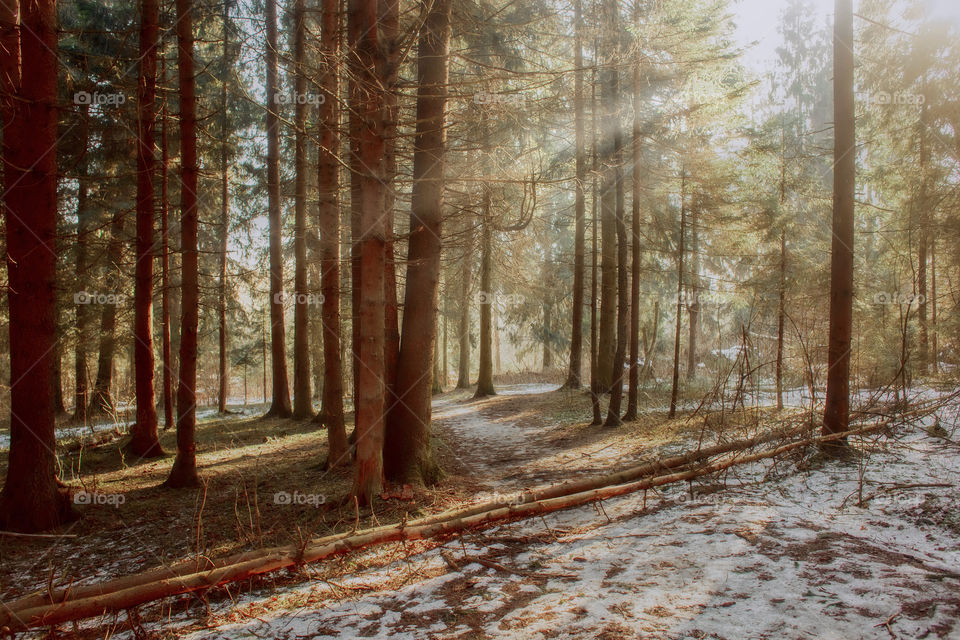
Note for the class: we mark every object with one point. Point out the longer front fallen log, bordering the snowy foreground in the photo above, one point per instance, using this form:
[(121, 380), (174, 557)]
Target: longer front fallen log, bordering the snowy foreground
[(250, 564)]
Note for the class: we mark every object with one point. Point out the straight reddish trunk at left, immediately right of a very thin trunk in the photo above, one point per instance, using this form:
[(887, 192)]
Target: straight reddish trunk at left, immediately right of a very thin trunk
[(184, 471)]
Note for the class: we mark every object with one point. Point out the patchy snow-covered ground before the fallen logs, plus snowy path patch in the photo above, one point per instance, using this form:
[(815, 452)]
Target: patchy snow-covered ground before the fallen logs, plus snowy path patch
[(794, 556)]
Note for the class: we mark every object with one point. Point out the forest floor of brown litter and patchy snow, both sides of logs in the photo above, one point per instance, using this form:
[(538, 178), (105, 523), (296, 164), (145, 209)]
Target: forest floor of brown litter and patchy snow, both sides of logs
[(774, 550)]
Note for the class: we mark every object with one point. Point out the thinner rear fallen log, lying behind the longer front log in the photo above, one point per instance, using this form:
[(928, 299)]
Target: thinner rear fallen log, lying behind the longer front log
[(72, 592)]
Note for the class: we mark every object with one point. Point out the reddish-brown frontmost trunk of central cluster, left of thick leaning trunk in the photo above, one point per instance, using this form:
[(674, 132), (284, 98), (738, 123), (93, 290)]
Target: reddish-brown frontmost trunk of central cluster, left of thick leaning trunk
[(369, 113)]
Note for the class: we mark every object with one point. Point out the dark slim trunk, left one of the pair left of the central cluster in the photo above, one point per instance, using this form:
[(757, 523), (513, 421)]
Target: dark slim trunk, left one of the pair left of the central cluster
[(280, 405)]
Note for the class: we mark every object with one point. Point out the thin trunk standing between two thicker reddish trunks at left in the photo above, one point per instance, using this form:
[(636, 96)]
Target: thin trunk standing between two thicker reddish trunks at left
[(167, 368)]
